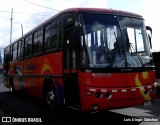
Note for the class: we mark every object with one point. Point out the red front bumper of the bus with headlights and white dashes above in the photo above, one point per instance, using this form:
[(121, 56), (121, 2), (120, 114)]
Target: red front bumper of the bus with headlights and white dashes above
[(95, 99)]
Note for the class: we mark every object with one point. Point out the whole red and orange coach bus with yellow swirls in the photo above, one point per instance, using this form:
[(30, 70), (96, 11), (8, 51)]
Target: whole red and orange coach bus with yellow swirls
[(88, 59)]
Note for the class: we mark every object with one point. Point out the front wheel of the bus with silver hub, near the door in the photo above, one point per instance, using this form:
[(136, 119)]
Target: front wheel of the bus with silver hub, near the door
[(49, 94)]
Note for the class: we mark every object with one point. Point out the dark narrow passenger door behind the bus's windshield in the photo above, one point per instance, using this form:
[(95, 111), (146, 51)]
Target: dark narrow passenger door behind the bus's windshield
[(71, 89)]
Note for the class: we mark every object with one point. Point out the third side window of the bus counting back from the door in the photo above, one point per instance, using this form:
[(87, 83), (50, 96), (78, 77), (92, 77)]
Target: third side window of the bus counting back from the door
[(28, 46)]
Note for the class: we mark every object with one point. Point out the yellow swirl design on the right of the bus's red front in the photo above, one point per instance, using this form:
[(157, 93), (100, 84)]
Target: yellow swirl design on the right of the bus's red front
[(138, 83)]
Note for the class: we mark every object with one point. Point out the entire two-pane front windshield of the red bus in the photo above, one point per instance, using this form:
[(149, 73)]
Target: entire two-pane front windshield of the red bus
[(114, 41)]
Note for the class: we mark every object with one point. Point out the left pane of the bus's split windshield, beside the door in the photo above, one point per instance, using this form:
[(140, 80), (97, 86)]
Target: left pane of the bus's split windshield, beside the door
[(101, 43)]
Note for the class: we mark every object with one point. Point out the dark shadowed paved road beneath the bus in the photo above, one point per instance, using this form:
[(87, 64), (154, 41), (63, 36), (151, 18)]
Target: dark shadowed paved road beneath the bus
[(21, 106)]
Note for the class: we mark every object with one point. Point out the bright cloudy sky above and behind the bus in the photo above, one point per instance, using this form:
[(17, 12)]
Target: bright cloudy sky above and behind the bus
[(27, 14)]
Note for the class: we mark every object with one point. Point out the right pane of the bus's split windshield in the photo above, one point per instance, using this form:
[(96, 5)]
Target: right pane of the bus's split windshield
[(136, 43)]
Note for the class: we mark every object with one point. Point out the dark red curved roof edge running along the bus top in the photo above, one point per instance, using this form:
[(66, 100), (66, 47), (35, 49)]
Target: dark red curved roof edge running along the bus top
[(78, 10)]
